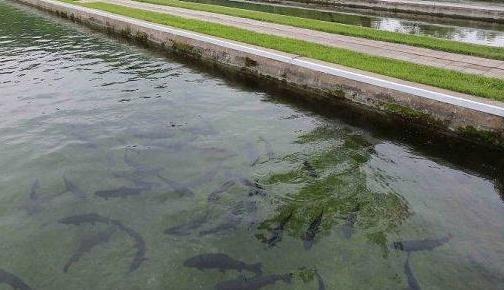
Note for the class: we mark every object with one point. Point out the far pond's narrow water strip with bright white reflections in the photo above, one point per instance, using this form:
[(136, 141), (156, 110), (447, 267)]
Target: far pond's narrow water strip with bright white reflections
[(459, 30)]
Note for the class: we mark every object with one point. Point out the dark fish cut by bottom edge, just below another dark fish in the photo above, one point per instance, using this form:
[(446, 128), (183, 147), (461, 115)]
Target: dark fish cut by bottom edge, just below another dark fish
[(253, 283)]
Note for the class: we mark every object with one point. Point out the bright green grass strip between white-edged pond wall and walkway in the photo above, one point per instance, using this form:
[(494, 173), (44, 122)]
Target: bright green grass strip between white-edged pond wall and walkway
[(456, 81)]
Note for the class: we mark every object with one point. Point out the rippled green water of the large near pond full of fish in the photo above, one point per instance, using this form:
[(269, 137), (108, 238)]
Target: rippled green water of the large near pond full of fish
[(120, 163)]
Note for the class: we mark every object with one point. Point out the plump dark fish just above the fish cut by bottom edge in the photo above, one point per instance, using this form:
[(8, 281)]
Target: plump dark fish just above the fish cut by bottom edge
[(222, 262)]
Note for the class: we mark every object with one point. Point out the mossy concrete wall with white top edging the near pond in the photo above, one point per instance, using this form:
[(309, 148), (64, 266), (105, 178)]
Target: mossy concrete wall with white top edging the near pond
[(482, 119)]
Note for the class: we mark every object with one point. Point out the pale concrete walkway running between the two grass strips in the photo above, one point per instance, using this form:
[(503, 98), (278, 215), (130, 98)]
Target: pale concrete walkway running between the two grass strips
[(452, 61)]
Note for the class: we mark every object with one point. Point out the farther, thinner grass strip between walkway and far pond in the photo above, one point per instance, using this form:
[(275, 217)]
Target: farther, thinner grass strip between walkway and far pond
[(344, 29)]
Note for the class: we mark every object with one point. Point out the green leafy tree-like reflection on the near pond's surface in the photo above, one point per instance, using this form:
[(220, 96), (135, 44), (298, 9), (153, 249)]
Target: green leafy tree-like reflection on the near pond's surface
[(339, 190)]
